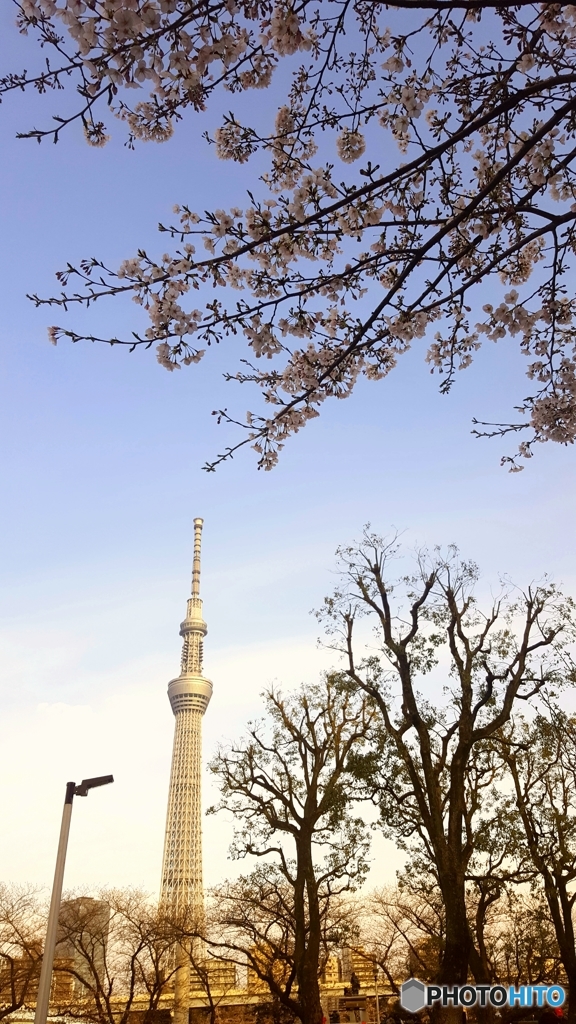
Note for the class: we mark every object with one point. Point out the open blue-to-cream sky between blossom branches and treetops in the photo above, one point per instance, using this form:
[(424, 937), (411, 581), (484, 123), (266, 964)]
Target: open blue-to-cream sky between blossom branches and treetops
[(102, 455)]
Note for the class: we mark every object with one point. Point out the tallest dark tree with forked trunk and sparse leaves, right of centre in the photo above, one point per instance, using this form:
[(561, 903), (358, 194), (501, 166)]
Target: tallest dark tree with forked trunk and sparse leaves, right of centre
[(436, 763)]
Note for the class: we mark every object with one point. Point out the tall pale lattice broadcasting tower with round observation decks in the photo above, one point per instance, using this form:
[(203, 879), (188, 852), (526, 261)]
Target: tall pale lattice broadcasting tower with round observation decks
[(190, 696)]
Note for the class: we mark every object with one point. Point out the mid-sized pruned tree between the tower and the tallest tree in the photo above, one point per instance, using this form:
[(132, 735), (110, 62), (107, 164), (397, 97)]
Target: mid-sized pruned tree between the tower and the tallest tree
[(289, 789)]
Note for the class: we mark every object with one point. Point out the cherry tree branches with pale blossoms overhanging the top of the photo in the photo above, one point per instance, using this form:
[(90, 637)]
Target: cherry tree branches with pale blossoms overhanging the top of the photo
[(342, 269)]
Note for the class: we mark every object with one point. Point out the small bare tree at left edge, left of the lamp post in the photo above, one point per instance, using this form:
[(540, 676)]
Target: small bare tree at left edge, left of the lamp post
[(22, 928)]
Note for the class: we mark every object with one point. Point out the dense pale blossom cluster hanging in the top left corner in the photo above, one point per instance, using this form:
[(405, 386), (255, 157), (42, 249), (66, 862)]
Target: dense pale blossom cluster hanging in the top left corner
[(175, 50)]
